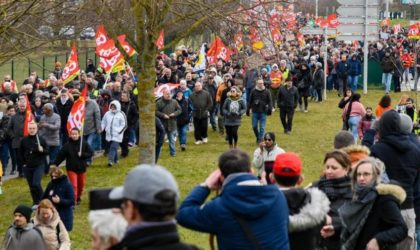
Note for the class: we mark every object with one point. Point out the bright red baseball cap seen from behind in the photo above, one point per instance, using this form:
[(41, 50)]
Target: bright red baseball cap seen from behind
[(287, 164)]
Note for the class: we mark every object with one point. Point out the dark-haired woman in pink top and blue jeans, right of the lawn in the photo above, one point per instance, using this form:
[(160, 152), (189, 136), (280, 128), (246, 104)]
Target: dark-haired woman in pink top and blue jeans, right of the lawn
[(353, 113)]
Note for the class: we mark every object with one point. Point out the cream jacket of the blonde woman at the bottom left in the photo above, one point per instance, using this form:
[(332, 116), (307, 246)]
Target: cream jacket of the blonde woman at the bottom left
[(54, 232)]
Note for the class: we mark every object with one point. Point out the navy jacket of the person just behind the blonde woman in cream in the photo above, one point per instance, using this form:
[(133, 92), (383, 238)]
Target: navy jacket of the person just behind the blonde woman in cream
[(63, 189)]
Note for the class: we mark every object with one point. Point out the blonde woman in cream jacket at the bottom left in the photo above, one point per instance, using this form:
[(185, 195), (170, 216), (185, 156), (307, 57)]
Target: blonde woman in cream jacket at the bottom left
[(52, 228)]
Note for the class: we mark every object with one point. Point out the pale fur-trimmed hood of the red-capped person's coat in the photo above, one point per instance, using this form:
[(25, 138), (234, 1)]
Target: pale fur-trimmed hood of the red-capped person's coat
[(311, 213)]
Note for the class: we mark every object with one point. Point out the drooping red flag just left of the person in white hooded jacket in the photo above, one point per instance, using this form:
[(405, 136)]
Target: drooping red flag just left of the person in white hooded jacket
[(76, 117)]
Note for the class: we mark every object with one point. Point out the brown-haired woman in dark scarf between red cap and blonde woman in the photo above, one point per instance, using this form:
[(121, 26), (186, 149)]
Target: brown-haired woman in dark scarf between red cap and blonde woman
[(336, 184)]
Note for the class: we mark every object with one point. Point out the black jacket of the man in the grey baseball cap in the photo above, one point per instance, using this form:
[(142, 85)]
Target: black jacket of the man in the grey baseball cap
[(159, 237)]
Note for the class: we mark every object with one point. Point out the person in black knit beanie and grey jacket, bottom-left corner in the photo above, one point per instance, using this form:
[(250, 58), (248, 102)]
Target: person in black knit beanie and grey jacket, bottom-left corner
[(22, 234)]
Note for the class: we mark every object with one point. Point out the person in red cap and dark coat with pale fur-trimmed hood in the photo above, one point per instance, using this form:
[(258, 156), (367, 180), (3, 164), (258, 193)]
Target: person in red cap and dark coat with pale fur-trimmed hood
[(308, 208)]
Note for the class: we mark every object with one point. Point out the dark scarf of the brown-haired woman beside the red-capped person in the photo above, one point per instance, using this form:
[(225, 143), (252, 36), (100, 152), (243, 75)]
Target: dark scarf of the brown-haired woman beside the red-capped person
[(335, 188)]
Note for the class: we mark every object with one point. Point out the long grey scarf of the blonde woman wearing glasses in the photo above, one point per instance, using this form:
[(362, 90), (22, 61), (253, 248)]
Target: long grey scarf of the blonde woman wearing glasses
[(354, 214)]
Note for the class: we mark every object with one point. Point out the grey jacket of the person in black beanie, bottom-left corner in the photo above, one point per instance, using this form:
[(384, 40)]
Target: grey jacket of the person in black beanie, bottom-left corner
[(25, 238)]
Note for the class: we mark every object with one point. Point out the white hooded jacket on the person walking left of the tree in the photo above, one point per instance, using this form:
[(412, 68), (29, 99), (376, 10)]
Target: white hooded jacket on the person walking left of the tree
[(114, 123)]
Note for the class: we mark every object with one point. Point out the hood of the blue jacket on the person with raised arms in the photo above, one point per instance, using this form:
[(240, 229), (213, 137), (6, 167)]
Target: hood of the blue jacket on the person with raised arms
[(244, 195)]
